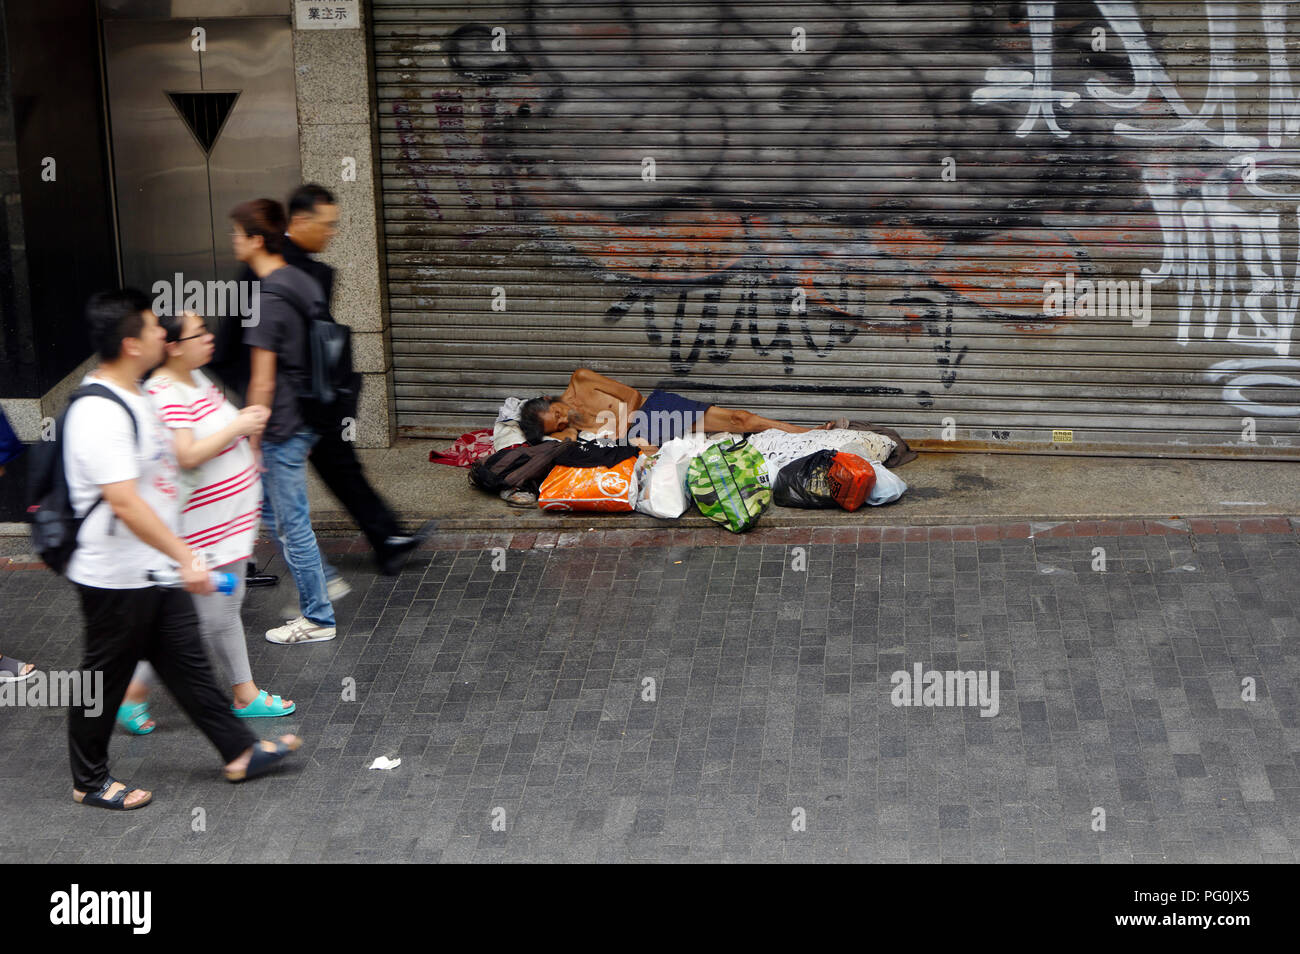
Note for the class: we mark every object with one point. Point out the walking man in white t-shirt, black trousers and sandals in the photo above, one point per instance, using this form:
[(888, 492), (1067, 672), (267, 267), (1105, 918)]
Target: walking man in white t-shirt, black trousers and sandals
[(128, 535)]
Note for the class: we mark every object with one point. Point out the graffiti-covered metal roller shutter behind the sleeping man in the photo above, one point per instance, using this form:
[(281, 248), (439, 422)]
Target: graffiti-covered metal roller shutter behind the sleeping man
[(853, 210)]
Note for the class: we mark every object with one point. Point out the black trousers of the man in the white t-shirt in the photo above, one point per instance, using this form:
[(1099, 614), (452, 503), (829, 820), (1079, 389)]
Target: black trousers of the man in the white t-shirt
[(161, 626)]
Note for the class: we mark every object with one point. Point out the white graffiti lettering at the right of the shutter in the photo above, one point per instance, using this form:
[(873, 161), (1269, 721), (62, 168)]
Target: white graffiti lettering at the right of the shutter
[(1223, 259)]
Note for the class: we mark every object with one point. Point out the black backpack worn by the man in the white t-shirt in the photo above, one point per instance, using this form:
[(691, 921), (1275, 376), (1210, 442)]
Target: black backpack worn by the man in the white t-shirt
[(54, 522)]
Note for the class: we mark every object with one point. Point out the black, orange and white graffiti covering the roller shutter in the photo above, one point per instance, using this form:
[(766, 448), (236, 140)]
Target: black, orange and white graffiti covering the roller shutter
[(856, 174)]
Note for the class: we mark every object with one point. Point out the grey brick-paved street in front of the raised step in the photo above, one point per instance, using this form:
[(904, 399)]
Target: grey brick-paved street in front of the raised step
[(512, 675)]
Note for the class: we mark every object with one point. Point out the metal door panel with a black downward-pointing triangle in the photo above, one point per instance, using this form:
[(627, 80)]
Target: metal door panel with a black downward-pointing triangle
[(174, 201)]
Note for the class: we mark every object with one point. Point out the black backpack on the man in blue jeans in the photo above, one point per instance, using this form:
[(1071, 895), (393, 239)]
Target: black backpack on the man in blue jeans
[(332, 388)]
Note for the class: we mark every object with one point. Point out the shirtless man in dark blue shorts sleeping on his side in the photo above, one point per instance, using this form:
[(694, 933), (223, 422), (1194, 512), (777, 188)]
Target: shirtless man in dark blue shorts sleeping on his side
[(593, 402)]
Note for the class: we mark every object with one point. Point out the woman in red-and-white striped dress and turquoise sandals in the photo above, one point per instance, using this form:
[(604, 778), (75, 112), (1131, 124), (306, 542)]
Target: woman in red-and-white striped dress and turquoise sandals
[(222, 493)]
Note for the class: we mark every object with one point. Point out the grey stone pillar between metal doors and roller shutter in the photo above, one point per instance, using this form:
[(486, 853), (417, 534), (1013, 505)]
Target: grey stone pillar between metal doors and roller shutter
[(335, 81)]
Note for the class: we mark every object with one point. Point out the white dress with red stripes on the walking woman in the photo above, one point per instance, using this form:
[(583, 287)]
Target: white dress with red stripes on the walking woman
[(222, 500)]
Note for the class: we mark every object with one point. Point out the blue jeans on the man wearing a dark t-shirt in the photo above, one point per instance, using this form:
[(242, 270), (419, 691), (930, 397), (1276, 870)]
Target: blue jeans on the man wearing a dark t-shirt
[(288, 518)]
